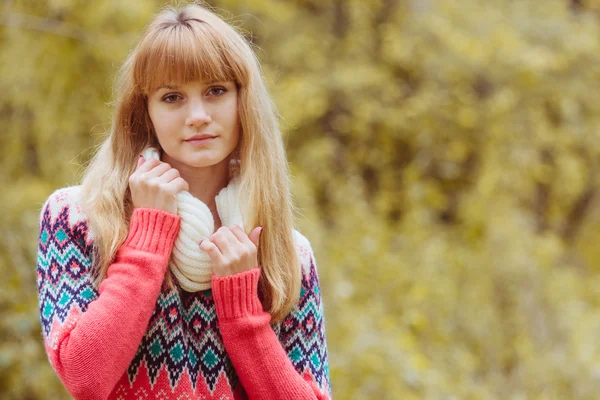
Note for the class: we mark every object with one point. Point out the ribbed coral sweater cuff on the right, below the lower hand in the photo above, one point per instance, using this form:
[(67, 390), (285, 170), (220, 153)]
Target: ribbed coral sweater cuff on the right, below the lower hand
[(236, 296)]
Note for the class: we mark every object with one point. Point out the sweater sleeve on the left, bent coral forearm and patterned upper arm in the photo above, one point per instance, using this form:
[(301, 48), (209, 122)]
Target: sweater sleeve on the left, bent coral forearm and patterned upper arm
[(90, 335)]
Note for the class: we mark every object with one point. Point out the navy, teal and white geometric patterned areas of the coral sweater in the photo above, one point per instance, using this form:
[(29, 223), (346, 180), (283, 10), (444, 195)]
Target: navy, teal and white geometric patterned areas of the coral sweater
[(182, 340)]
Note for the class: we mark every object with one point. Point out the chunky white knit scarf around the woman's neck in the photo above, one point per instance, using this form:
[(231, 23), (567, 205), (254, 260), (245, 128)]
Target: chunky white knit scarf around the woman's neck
[(188, 263)]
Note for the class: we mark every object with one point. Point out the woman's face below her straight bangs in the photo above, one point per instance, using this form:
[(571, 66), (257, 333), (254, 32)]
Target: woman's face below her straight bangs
[(180, 112)]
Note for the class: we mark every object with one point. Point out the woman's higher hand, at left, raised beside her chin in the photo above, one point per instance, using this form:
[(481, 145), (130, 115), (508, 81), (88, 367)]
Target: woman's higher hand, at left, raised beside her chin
[(154, 184)]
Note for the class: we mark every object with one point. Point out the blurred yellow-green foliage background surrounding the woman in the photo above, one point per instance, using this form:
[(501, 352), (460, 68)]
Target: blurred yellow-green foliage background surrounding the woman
[(445, 157)]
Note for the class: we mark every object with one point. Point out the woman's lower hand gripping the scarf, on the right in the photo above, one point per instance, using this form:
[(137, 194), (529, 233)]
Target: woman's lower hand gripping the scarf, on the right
[(231, 251)]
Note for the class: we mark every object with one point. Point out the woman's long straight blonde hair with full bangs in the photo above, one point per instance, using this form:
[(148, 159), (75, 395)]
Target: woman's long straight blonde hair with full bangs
[(182, 44)]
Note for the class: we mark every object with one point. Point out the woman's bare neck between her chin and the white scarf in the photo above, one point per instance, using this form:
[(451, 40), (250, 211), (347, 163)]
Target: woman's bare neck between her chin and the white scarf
[(206, 182)]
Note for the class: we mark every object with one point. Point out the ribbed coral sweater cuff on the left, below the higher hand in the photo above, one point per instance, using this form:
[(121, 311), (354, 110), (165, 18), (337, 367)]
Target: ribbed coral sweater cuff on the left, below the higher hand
[(152, 230)]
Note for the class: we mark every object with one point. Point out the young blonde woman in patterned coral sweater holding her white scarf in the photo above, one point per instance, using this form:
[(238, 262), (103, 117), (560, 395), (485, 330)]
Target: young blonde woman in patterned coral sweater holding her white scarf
[(125, 312)]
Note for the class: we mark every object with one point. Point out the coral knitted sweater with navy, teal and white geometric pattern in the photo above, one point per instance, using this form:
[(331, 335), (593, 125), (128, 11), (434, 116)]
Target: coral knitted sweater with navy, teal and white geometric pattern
[(134, 338)]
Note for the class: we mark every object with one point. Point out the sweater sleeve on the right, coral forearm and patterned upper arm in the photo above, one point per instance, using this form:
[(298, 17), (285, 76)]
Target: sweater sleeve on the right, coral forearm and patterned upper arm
[(294, 366)]
